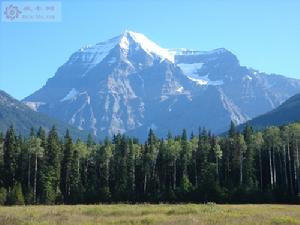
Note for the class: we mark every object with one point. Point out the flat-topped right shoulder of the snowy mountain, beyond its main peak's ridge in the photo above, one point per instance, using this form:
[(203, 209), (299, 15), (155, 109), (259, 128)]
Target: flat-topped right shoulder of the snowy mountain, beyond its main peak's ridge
[(250, 91)]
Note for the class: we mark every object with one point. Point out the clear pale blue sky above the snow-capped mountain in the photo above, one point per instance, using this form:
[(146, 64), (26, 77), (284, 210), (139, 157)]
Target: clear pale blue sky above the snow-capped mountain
[(264, 34)]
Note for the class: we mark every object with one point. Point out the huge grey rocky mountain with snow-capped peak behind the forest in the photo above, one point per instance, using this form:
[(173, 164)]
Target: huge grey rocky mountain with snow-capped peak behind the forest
[(130, 84)]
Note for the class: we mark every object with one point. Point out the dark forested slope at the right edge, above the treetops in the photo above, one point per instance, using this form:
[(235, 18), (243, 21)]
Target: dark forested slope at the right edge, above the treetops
[(287, 112)]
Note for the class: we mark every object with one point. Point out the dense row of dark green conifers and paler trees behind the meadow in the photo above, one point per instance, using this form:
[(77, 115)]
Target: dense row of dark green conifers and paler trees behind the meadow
[(241, 167)]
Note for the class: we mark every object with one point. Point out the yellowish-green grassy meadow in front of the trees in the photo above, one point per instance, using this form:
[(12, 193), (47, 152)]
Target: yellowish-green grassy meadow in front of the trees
[(151, 214)]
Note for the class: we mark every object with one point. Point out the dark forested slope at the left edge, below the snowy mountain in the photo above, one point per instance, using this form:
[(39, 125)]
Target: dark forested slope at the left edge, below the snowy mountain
[(13, 112)]
